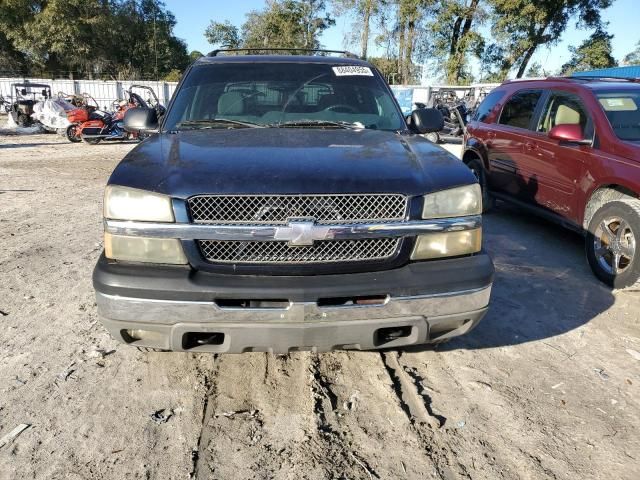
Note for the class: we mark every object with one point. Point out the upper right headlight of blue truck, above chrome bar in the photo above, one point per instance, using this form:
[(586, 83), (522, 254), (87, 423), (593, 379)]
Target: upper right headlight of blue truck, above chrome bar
[(453, 202)]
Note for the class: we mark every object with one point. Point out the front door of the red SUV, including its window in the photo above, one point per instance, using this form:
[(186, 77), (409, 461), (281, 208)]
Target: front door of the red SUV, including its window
[(554, 167)]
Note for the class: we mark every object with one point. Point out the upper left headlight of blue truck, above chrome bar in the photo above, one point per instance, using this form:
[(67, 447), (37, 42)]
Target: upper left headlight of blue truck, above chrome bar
[(124, 203)]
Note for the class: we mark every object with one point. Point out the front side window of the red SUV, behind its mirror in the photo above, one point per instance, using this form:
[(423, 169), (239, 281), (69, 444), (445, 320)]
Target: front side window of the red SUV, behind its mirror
[(565, 109)]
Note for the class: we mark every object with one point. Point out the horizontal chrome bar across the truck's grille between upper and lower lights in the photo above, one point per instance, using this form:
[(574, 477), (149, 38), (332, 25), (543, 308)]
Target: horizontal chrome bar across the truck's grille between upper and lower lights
[(188, 231)]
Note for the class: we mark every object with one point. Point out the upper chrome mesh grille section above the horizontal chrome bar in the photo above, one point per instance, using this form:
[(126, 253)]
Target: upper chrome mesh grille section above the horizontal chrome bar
[(279, 209)]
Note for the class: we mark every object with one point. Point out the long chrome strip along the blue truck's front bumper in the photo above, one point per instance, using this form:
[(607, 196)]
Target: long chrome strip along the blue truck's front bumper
[(170, 312)]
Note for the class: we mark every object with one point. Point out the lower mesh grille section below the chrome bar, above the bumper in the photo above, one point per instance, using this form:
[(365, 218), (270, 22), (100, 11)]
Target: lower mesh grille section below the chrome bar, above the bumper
[(325, 251)]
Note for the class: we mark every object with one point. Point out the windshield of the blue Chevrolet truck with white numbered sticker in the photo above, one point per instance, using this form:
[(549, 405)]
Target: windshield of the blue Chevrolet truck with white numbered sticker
[(303, 95)]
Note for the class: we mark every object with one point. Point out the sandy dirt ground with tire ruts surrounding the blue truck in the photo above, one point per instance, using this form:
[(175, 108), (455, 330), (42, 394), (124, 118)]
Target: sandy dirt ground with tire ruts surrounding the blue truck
[(547, 386)]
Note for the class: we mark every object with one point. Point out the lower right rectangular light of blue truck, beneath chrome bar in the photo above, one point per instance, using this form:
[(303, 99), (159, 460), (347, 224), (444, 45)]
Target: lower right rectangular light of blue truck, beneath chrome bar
[(447, 244)]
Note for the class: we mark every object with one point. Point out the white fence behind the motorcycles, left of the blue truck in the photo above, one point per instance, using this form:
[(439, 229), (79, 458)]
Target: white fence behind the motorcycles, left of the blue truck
[(105, 92)]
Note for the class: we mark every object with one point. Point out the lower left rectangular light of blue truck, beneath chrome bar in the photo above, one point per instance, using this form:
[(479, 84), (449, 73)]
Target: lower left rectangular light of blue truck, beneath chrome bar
[(142, 249)]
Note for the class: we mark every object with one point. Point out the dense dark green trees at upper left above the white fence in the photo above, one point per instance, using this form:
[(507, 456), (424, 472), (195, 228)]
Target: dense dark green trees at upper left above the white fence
[(93, 38)]
